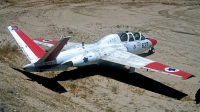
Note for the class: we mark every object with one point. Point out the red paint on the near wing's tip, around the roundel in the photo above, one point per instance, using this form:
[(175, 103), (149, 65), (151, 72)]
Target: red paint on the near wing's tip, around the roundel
[(161, 67)]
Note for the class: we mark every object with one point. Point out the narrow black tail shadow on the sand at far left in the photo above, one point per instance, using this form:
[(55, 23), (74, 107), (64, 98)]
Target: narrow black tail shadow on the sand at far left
[(46, 82)]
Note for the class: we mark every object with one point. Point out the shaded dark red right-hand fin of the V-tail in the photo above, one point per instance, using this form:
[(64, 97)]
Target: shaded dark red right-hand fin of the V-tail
[(54, 51)]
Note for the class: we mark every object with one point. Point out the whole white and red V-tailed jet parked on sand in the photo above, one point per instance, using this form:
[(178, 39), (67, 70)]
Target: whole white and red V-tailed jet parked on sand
[(121, 48)]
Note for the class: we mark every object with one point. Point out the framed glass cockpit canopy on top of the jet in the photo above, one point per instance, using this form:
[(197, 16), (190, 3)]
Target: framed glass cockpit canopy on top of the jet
[(131, 36)]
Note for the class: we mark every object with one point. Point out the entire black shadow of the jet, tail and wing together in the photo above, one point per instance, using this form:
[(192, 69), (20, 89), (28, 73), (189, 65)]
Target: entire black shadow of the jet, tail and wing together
[(117, 72)]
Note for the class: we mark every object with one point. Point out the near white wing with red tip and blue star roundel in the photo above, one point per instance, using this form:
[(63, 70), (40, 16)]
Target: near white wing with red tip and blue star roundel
[(132, 60)]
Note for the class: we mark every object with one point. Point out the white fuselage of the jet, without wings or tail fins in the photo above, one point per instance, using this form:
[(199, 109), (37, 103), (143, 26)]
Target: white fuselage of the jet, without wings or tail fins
[(91, 53)]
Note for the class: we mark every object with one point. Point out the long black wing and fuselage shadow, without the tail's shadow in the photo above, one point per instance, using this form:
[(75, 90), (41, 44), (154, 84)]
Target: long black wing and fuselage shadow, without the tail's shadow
[(121, 74)]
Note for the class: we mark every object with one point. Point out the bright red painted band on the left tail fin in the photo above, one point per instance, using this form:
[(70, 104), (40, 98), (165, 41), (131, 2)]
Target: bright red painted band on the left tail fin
[(30, 43)]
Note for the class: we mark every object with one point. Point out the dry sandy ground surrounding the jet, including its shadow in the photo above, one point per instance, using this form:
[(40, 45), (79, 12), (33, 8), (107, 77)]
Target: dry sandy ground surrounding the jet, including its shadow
[(175, 24)]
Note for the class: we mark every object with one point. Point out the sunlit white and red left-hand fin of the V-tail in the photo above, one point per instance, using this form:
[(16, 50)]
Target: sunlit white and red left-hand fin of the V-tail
[(32, 51)]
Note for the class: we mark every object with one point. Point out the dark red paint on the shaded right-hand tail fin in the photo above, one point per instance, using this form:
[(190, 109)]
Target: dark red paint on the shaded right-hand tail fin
[(56, 51)]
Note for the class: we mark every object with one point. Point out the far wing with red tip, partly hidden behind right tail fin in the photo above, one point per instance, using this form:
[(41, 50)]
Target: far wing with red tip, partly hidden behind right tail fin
[(50, 43)]
